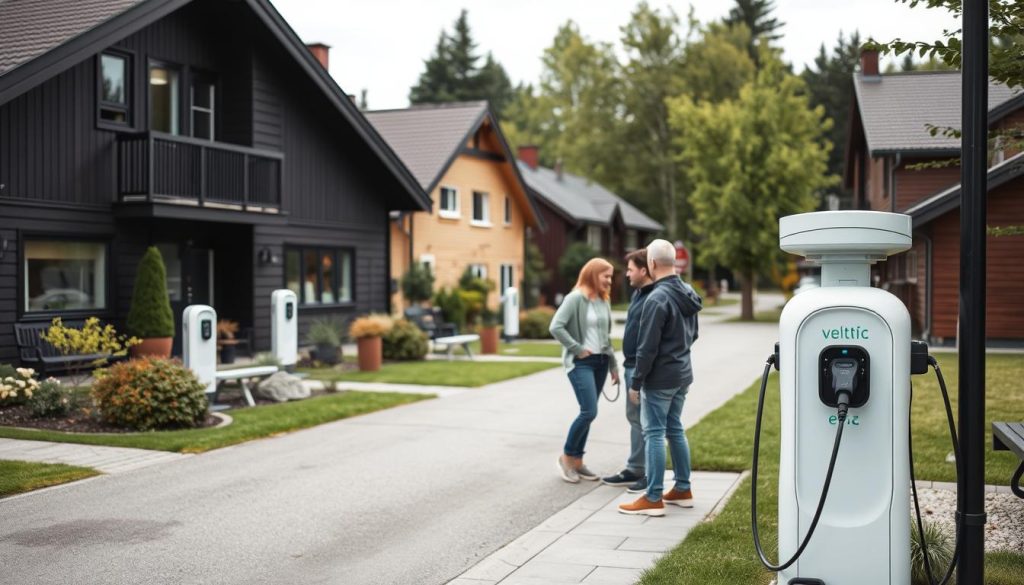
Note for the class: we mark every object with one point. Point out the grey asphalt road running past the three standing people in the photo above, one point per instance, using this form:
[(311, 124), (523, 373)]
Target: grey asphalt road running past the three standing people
[(414, 495)]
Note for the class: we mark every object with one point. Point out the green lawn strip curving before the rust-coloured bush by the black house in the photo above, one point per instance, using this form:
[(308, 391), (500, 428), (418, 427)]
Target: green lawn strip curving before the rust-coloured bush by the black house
[(250, 424)]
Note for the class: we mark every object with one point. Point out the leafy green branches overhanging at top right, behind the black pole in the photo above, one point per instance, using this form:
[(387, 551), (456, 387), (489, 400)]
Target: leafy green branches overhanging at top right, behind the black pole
[(1006, 59)]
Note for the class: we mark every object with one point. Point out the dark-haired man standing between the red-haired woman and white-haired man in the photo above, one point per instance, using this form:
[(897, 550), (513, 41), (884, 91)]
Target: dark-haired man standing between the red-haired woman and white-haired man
[(639, 277)]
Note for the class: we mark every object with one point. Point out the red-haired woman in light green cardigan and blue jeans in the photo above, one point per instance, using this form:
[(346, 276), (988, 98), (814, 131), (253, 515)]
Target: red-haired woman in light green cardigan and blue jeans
[(583, 326)]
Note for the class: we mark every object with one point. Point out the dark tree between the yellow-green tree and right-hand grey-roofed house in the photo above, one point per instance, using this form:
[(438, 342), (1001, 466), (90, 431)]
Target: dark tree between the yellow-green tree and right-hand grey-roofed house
[(830, 85)]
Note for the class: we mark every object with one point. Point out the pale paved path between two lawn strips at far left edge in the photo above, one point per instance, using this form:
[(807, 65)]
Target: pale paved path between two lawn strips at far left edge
[(106, 459)]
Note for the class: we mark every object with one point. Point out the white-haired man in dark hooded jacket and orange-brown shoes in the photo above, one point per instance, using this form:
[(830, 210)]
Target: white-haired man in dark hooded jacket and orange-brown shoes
[(663, 375)]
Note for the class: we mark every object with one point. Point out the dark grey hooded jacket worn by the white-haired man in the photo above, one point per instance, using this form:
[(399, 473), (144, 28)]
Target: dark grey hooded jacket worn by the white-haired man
[(668, 330)]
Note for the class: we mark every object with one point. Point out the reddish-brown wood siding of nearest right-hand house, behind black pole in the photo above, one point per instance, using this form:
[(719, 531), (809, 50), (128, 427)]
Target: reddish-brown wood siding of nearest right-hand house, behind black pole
[(1004, 317)]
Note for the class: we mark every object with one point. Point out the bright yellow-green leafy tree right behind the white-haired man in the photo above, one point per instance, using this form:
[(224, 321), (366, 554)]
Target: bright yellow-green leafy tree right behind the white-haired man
[(752, 161)]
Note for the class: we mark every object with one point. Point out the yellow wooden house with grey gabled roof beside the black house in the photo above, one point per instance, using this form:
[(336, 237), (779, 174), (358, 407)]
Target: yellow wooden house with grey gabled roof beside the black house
[(481, 206)]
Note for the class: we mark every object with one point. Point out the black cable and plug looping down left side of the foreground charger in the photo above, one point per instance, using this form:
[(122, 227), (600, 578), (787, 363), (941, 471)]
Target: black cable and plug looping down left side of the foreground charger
[(844, 383)]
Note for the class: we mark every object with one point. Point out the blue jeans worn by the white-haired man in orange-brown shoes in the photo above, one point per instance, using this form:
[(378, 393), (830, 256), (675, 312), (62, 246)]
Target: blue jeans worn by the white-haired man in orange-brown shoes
[(662, 413)]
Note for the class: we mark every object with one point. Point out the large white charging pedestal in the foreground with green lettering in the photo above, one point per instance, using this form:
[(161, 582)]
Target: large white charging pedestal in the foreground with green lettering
[(865, 532)]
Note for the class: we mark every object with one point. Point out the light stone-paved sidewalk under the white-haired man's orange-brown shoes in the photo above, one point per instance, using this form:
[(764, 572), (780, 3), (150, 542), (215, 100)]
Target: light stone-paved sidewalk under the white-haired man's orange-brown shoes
[(591, 542)]
